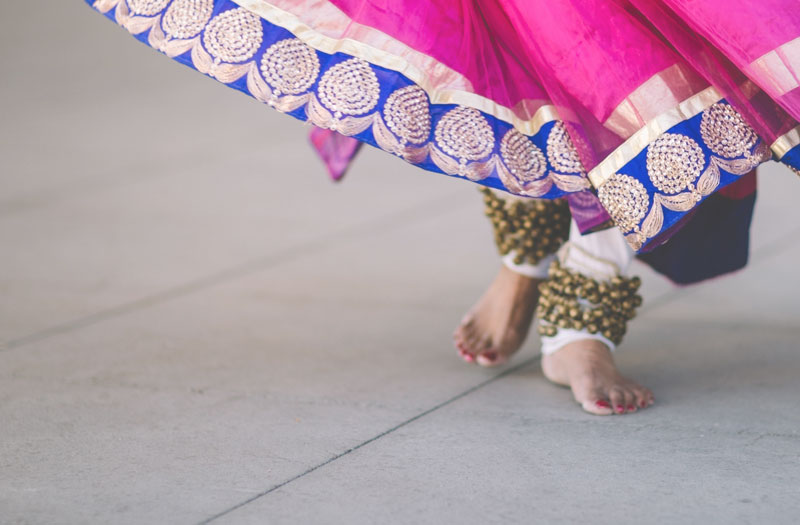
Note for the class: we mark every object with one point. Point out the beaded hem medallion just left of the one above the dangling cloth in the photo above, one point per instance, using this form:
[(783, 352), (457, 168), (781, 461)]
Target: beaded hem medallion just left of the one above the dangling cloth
[(290, 66)]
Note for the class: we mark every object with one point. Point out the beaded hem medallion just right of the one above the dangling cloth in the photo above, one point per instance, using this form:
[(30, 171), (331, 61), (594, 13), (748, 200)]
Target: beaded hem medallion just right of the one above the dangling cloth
[(407, 113)]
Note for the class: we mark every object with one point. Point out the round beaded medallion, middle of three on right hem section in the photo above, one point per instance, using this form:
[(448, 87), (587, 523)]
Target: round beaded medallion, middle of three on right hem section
[(674, 162)]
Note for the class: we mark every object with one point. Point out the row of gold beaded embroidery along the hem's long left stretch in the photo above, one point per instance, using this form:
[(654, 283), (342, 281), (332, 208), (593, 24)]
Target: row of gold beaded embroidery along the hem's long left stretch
[(351, 88)]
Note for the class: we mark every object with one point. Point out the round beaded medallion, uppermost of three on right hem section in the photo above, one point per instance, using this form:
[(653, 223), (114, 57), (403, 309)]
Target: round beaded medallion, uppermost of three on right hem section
[(726, 133)]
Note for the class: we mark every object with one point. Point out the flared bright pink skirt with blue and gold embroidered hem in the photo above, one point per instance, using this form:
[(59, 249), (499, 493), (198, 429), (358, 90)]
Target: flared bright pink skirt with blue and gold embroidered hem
[(637, 111)]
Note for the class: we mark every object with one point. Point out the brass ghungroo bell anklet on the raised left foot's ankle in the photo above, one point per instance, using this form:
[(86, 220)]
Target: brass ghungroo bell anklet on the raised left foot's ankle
[(531, 228)]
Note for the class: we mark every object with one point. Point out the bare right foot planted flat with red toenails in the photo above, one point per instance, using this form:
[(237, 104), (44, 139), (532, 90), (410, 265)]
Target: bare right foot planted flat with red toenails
[(587, 367)]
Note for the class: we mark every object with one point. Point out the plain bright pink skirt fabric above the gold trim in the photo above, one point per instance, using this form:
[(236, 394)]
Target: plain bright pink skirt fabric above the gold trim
[(589, 55)]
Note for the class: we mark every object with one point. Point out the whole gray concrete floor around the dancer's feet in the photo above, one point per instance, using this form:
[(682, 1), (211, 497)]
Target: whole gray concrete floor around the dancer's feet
[(197, 326)]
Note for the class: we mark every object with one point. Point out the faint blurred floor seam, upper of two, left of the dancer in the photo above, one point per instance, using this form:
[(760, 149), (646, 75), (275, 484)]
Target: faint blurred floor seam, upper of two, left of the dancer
[(411, 214)]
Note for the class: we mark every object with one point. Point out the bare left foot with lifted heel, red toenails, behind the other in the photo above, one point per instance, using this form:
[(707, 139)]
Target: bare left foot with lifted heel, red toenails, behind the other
[(498, 323)]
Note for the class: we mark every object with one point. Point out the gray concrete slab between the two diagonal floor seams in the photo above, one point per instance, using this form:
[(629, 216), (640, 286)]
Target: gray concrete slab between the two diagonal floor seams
[(149, 413)]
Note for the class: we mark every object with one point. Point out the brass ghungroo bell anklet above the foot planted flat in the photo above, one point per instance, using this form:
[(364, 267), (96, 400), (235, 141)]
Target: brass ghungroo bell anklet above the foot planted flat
[(570, 300)]
